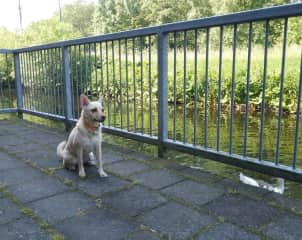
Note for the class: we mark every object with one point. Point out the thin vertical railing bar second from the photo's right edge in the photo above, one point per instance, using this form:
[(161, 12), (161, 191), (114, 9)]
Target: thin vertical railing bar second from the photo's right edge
[(281, 90)]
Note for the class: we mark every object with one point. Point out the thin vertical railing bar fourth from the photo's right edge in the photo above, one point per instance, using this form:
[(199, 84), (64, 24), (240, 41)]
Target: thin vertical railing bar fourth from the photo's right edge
[(246, 115)]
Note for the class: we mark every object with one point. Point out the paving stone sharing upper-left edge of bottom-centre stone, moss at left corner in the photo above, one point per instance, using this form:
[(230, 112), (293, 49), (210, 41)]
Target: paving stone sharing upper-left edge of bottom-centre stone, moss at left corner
[(134, 201)]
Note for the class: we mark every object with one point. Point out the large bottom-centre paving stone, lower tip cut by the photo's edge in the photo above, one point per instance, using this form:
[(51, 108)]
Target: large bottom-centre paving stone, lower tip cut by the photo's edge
[(176, 221)]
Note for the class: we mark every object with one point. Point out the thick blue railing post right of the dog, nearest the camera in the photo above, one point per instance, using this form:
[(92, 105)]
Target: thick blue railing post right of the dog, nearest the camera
[(162, 60)]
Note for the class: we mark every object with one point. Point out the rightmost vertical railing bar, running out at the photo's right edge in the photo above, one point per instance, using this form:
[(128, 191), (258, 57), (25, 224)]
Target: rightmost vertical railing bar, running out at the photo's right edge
[(298, 116)]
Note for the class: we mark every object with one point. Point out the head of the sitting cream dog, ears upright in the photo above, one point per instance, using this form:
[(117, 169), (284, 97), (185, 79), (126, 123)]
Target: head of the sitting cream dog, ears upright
[(93, 111)]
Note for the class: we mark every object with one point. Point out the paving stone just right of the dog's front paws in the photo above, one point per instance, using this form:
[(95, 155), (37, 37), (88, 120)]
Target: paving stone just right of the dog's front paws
[(126, 168)]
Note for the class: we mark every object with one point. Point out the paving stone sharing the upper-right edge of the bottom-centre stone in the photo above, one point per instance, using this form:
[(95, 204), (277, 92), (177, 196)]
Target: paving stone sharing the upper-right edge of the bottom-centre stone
[(195, 193)]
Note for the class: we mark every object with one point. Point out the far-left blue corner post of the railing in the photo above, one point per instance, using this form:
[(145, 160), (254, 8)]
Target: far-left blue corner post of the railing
[(19, 91)]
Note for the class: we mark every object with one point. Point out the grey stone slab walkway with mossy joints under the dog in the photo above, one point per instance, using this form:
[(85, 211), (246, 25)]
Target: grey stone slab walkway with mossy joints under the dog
[(143, 197)]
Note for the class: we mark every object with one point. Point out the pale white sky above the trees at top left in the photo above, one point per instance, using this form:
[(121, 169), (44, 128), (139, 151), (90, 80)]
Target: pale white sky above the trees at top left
[(32, 10)]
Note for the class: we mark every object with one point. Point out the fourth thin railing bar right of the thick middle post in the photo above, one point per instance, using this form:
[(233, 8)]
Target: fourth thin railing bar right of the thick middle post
[(206, 90)]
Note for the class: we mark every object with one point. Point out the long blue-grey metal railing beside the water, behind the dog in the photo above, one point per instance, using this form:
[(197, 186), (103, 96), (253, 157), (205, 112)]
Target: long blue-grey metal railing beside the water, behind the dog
[(138, 73)]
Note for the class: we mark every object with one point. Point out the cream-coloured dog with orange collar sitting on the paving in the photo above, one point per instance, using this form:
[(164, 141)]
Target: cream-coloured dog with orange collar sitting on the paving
[(84, 142)]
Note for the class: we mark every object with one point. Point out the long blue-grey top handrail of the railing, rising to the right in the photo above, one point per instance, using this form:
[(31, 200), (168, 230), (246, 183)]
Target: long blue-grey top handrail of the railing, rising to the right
[(289, 10)]
